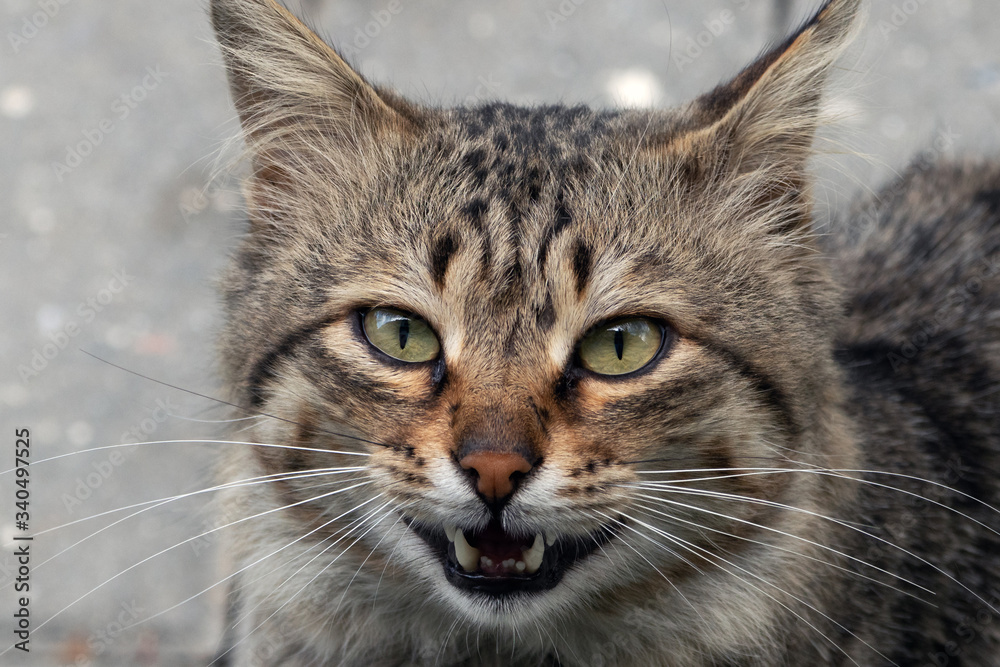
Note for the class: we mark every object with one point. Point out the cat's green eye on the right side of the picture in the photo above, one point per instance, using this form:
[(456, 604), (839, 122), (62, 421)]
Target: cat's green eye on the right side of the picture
[(621, 346)]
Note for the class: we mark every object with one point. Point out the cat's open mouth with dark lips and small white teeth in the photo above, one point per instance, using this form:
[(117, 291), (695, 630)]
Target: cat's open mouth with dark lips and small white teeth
[(494, 562)]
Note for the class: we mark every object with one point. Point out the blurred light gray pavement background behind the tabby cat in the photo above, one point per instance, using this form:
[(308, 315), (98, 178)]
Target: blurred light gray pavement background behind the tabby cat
[(115, 221)]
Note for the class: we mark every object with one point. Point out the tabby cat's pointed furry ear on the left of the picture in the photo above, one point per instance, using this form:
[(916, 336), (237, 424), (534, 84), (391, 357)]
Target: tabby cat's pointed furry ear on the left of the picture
[(304, 110)]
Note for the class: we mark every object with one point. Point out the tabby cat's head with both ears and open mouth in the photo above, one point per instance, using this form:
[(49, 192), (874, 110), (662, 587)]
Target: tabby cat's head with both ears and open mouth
[(520, 320)]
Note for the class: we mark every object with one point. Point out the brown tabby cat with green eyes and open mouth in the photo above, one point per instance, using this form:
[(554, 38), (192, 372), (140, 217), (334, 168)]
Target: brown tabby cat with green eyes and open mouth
[(558, 386)]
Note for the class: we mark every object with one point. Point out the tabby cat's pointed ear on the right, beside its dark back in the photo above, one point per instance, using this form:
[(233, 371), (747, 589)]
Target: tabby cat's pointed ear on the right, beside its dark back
[(757, 130)]
